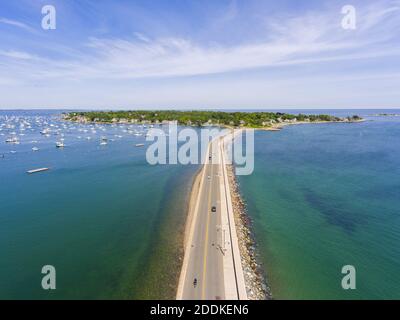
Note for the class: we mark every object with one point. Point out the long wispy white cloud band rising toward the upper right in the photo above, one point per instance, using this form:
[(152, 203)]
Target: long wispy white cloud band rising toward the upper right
[(313, 37)]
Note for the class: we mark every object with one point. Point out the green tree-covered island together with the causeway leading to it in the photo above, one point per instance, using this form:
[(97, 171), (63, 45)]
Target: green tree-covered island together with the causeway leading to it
[(220, 254)]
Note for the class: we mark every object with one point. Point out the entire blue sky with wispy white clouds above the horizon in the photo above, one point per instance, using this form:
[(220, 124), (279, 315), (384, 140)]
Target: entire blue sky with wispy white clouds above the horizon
[(211, 54)]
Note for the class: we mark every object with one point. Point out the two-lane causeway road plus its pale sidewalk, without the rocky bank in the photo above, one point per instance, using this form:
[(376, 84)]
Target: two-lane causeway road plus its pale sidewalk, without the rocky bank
[(208, 271)]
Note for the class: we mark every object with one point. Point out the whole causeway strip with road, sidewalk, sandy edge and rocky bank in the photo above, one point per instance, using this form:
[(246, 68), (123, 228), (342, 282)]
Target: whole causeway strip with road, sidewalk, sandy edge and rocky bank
[(237, 273)]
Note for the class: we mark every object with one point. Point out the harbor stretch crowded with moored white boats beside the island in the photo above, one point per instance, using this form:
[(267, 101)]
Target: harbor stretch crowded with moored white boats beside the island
[(36, 133)]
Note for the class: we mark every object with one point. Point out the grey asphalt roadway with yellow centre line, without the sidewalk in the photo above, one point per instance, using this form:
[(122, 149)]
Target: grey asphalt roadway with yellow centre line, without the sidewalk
[(206, 251)]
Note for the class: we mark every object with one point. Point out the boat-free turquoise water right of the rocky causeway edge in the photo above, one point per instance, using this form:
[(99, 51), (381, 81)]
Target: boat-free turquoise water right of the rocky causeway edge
[(327, 195)]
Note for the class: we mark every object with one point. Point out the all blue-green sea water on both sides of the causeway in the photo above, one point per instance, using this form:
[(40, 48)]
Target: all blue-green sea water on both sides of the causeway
[(321, 196)]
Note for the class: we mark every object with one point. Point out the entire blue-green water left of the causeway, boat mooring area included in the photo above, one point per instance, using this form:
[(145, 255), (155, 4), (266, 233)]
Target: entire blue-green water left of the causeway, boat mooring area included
[(109, 223)]
